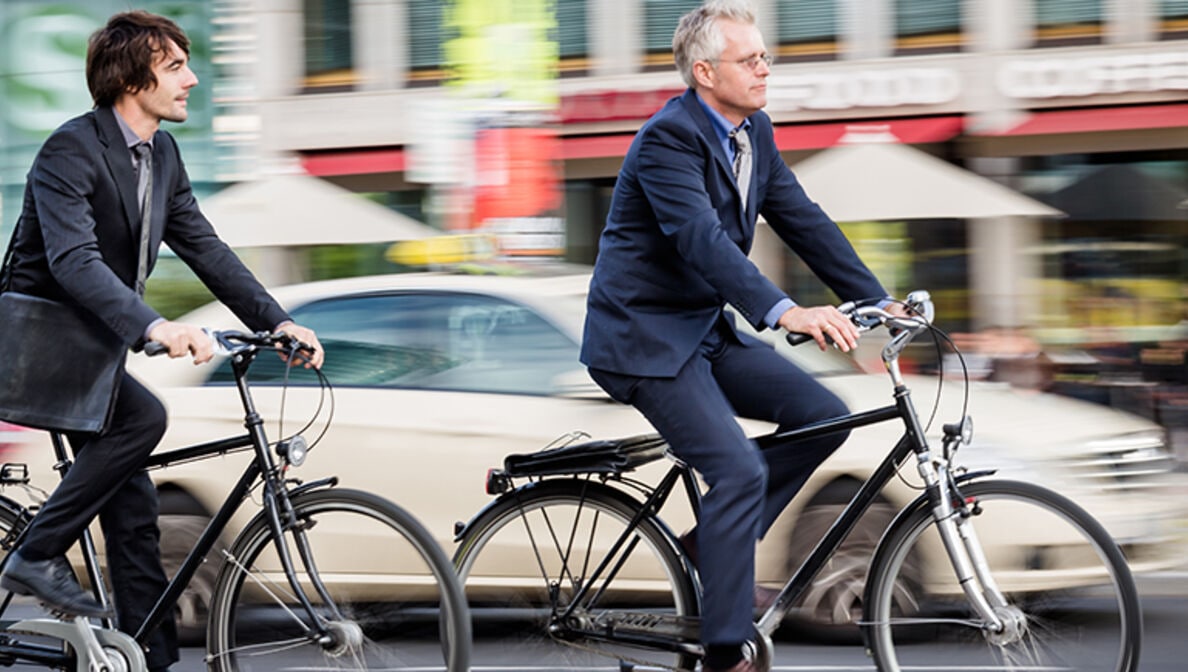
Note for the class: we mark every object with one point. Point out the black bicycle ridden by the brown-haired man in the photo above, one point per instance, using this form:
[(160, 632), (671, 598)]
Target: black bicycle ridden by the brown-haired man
[(321, 579)]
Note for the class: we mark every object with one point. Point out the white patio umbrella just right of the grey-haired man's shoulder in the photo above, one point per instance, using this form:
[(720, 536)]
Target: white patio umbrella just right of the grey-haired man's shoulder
[(873, 177)]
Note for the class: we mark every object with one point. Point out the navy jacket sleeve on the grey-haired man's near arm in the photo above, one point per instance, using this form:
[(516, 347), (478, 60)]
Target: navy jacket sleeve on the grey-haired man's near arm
[(674, 164)]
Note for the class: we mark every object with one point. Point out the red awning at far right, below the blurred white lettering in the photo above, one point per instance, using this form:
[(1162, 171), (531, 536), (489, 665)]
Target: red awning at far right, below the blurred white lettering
[(1094, 121)]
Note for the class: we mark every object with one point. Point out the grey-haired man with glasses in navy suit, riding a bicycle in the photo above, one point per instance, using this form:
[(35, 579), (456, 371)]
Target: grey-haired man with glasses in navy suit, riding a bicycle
[(673, 255)]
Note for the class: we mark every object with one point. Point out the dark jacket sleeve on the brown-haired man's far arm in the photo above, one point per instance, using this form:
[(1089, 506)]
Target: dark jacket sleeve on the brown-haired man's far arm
[(191, 236)]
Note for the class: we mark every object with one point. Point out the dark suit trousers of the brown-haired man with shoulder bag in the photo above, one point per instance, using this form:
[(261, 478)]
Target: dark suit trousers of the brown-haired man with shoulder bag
[(108, 480)]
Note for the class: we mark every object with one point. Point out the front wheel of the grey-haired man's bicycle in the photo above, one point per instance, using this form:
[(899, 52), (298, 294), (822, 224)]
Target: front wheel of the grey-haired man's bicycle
[(1071, 599)]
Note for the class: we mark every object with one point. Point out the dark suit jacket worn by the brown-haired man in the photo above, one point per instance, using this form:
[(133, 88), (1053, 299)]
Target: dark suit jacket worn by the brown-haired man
[(79, 237)]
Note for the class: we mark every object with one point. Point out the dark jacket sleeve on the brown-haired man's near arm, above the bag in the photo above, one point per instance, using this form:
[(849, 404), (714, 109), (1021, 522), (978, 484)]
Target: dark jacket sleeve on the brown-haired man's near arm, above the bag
[(64, 182)]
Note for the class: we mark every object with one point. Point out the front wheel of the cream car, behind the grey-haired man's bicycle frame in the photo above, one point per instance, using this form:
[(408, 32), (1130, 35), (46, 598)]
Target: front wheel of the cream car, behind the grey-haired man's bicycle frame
[(832, 605)]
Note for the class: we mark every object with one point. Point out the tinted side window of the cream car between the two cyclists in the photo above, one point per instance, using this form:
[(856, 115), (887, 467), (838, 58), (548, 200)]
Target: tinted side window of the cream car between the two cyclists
[(428, 340)]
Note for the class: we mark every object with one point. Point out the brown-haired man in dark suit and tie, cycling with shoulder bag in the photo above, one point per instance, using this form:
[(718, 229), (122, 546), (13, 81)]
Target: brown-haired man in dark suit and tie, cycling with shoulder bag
[(105, 192)]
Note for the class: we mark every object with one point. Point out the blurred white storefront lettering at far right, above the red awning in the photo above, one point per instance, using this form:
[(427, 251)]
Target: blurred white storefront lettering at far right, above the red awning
[(1056, 78)]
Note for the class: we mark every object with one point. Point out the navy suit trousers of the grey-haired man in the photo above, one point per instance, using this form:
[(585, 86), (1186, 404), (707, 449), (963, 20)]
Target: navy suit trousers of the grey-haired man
[(748, 487)]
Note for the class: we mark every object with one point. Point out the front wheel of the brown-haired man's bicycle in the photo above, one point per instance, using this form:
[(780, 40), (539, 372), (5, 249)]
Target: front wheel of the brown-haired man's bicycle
[(390, 597)]
